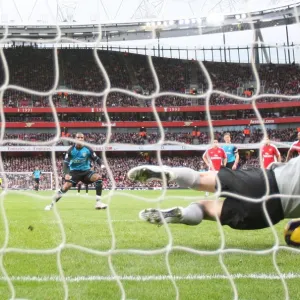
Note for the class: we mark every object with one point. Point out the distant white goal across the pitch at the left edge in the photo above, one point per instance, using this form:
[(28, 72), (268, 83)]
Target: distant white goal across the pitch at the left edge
[(25, 181)]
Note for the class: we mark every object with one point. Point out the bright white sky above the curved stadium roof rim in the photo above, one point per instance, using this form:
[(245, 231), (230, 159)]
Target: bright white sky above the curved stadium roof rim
[(104, 11)]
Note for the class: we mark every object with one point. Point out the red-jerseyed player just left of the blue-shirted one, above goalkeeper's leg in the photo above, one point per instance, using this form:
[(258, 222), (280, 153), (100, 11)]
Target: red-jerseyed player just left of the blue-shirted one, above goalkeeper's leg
[(215, 157)]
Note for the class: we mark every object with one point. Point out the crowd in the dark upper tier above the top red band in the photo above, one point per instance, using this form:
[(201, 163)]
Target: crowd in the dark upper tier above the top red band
[(34, 68)]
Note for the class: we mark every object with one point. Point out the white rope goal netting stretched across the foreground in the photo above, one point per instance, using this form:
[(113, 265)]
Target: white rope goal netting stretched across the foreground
[(113, 249)]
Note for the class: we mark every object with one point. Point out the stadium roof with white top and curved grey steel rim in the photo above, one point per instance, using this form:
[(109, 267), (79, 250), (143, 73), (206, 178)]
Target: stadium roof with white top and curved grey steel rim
[(125, 20)]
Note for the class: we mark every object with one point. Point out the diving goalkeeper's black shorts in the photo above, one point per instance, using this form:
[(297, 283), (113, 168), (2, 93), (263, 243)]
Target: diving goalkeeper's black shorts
[(242, 214)]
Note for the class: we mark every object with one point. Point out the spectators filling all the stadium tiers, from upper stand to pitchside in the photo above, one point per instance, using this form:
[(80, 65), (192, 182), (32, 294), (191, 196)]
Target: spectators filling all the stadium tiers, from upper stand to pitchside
[(34, 69)]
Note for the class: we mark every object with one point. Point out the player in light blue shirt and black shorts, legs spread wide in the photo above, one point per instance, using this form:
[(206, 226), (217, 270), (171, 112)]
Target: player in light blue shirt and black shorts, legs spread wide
[(77, 167)]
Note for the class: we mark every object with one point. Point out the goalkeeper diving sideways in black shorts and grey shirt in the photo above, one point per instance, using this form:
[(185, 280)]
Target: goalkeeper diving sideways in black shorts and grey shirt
[(283, 179)]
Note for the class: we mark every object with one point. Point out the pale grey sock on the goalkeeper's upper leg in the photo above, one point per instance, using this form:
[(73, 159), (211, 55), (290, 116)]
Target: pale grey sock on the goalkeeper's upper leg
[(186, 177)]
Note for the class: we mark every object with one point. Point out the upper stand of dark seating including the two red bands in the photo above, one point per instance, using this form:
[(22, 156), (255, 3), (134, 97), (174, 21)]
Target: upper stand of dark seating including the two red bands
[(79, 70)]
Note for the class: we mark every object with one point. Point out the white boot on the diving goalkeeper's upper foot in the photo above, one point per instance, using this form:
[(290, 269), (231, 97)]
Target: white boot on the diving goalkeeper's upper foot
[(148, 173)]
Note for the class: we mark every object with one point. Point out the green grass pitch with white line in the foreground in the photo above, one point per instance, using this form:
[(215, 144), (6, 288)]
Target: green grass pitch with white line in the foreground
[(86, 227)]
